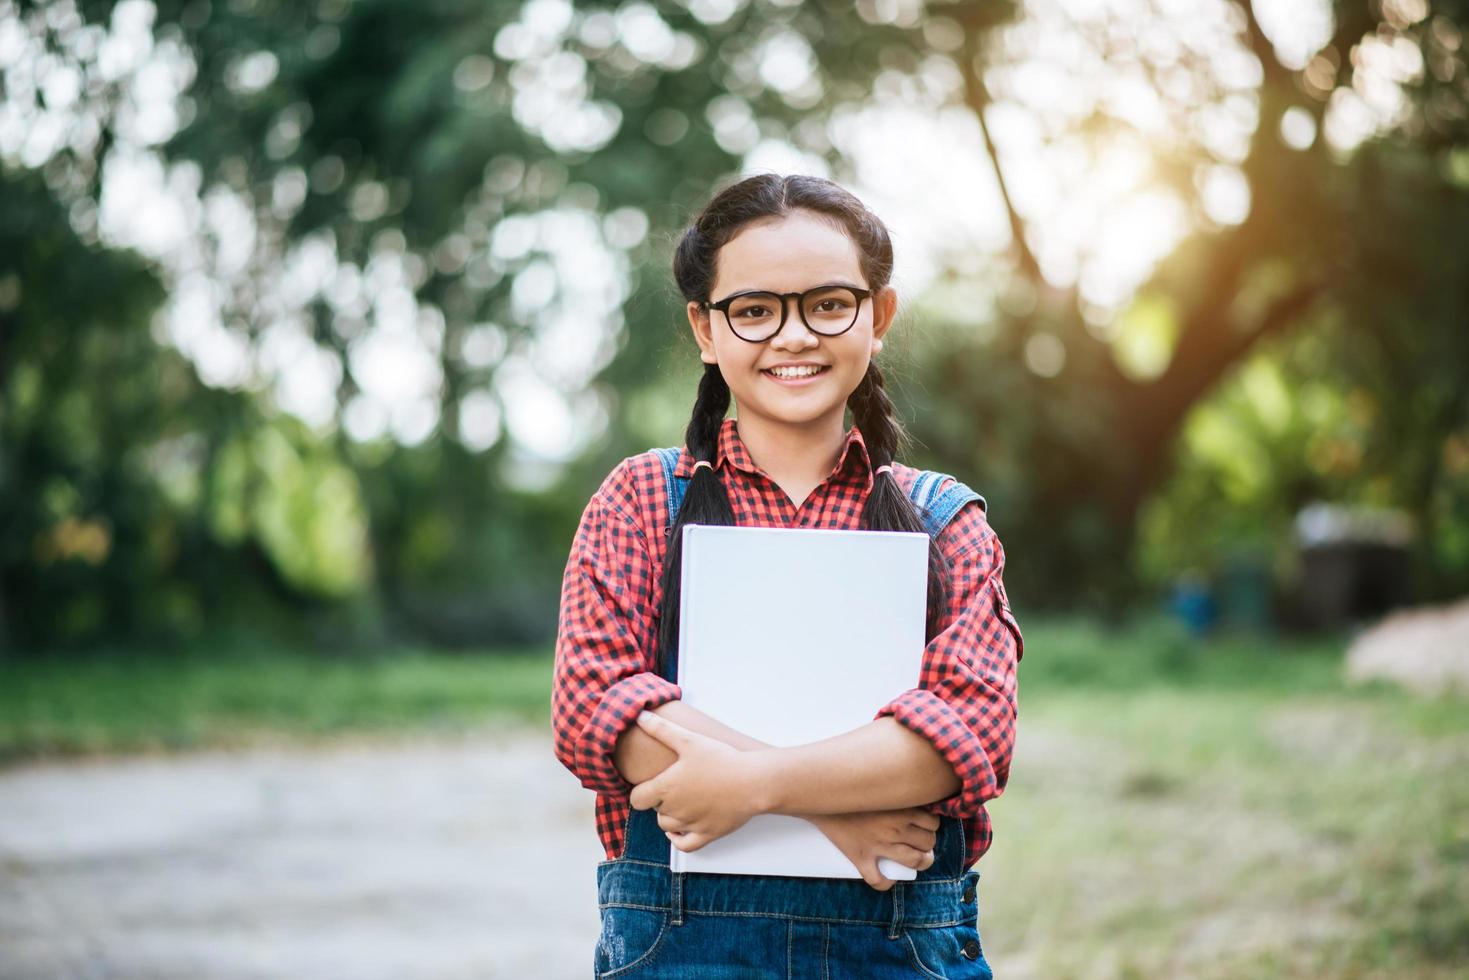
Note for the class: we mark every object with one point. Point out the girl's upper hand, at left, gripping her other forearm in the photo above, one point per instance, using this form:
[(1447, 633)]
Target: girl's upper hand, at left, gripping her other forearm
[(709, 793)]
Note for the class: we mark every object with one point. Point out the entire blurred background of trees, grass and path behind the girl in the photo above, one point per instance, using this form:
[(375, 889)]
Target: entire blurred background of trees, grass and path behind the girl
[(321, 323)]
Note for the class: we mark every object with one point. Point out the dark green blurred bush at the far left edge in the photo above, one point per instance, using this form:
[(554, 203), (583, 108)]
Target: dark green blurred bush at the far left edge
[(137, 499)]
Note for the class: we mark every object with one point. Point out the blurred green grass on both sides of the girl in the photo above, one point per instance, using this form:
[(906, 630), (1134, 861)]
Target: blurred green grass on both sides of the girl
[(1177, 807)]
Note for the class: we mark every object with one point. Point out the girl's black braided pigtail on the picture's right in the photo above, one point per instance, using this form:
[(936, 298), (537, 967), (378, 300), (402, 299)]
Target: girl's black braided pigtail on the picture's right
[(888, 508)]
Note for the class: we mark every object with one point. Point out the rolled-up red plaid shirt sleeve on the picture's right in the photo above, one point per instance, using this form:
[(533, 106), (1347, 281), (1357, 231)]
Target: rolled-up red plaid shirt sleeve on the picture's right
[(966, 702)]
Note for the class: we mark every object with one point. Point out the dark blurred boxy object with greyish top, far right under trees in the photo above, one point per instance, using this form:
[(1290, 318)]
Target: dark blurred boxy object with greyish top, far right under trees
[(1355, 565)]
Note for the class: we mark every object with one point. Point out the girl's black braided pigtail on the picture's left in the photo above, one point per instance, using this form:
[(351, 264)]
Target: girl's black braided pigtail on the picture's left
[(704, 503)]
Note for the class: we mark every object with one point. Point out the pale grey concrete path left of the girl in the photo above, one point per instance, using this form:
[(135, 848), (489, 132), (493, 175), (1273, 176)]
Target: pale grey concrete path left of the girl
[(427, 859)]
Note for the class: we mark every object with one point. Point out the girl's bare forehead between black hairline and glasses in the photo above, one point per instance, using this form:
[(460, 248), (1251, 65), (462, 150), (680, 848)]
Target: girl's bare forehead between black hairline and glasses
[(787, 253)]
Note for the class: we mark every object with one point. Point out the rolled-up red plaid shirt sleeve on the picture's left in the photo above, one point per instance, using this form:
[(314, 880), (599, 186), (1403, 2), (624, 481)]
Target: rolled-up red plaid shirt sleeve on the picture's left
[(604, 641)]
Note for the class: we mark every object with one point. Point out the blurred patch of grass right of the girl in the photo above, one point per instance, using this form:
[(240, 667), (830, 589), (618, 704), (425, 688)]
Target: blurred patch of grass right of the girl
[(1226, 810)]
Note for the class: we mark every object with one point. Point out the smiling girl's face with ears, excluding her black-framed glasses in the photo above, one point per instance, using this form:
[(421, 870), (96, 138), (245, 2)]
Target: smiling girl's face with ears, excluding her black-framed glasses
[(791, 255)]
